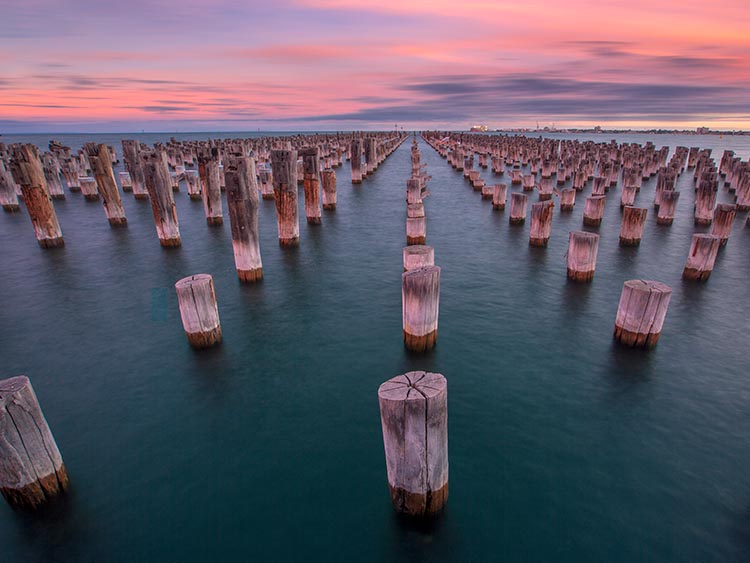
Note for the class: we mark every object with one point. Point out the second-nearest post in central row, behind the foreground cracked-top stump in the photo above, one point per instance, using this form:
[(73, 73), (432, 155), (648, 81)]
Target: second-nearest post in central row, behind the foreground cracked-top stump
[(420, 300)]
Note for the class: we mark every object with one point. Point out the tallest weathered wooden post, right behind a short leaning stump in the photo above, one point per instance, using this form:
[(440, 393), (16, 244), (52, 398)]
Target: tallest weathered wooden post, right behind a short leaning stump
[(242, 203)]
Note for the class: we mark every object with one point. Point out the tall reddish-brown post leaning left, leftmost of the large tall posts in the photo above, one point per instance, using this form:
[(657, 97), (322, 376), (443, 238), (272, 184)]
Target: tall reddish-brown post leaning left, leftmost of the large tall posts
[(27, 171)]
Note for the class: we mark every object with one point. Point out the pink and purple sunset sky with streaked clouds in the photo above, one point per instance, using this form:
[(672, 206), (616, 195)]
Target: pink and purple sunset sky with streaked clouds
[(199, 65)]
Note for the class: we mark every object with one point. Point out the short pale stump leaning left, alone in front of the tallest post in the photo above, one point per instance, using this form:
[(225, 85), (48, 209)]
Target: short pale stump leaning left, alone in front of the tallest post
[(200, 315)]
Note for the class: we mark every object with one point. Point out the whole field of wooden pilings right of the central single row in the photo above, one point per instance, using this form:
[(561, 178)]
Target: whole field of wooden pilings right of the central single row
[(553, 163)]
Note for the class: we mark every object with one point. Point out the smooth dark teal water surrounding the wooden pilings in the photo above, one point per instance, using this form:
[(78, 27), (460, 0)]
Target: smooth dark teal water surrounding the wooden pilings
[(563, 446)]
